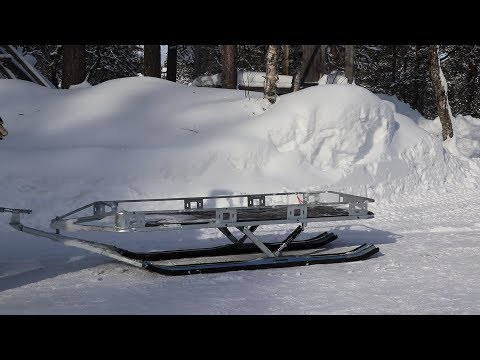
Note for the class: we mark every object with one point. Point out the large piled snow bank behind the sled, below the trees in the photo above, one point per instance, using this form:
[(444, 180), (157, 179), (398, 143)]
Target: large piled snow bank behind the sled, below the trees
[(145, 137)]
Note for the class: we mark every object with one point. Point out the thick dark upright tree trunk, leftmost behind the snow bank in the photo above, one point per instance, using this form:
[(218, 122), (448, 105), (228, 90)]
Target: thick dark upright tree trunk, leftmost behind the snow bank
[(73, 65)]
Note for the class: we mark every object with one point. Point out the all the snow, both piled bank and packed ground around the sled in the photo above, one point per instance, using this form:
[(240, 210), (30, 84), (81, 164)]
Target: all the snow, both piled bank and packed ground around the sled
[(149, 138)]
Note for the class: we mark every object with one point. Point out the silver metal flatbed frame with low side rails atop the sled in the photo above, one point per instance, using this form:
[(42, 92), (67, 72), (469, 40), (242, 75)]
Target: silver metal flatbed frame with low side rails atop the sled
[(137, 220)]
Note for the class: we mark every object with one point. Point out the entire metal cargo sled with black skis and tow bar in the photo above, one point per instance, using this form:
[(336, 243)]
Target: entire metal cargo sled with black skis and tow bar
[(246, 213)]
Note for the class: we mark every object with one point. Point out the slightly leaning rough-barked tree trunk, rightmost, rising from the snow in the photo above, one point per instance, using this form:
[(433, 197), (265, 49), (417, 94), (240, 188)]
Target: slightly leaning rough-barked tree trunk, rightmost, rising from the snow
[(441, 93)]
